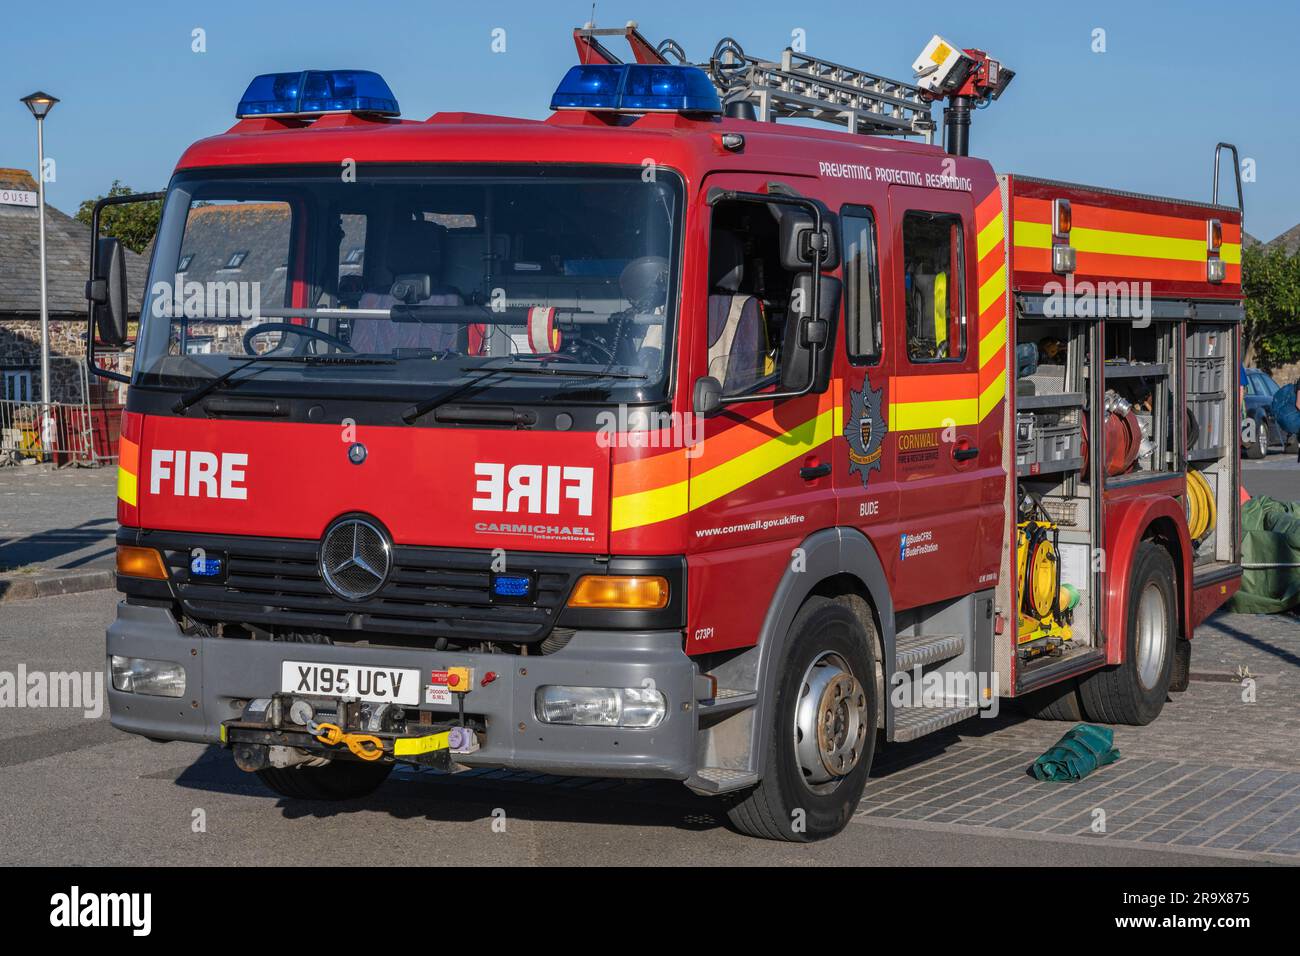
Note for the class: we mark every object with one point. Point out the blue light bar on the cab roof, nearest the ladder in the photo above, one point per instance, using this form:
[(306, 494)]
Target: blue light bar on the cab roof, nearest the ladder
[(638, 89)]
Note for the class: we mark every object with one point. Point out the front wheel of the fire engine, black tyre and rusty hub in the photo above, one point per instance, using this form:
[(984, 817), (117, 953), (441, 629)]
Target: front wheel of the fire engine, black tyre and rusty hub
[(822, 730)]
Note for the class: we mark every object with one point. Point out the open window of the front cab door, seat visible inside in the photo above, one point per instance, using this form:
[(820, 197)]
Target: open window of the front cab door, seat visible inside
[(749, 297)]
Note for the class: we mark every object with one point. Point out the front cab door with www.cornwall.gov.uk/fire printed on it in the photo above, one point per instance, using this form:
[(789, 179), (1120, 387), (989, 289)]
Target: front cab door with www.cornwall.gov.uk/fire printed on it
[(764, 478)]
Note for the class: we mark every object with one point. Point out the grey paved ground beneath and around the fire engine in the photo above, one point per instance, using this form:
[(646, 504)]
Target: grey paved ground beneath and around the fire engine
[(1216, 780)]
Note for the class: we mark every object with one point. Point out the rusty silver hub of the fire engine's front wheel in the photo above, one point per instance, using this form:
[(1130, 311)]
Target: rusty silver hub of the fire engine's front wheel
[(830, 723)]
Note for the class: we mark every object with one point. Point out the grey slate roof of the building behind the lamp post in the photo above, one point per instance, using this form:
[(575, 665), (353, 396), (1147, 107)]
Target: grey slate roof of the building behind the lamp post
[(67, 258)]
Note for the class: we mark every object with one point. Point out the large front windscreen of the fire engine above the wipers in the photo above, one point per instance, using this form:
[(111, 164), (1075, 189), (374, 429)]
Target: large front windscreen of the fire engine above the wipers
[(513, 284)]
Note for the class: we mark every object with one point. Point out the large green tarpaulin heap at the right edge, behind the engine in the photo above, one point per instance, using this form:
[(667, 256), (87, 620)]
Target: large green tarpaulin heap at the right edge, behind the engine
[(1271, 543)]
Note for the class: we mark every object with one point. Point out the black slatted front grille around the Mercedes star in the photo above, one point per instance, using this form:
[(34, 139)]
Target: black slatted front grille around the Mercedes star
[(432, 592)]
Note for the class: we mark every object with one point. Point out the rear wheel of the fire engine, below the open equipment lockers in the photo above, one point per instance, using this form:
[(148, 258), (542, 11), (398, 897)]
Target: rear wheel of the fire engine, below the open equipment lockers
[(1134, 691)]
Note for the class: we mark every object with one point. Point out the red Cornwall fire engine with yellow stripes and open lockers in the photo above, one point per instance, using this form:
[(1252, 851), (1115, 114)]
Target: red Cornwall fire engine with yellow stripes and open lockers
[(658, 438)]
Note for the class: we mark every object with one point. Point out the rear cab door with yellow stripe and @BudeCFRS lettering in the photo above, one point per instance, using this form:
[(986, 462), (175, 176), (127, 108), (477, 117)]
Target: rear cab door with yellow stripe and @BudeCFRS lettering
[(934, 396)]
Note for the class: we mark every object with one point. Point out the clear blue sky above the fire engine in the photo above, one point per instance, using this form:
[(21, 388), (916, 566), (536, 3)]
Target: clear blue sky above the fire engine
[(1145, 116)]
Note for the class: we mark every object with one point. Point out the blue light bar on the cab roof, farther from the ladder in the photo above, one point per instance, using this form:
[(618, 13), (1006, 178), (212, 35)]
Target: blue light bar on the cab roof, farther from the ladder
[(313, 93)]
